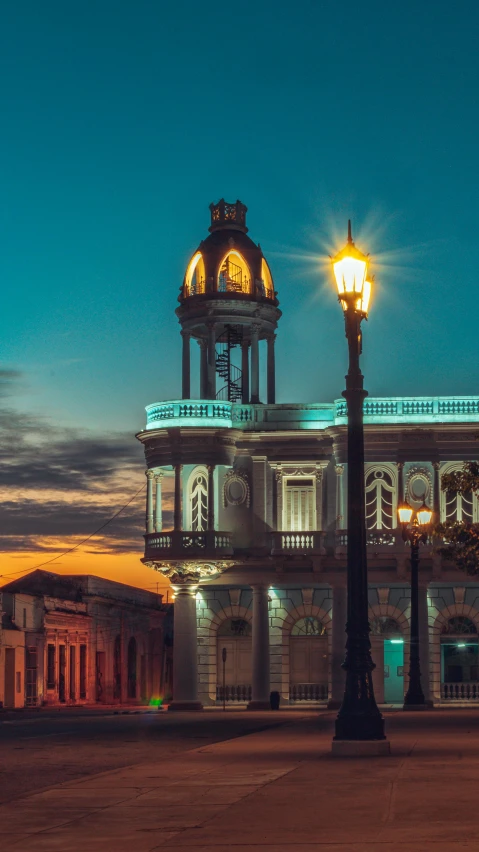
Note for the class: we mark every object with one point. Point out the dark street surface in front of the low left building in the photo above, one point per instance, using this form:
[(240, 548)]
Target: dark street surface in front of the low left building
[(43, 748)]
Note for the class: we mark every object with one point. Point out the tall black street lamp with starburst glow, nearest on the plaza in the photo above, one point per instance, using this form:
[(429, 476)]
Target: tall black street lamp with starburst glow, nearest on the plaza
[(359, 719)]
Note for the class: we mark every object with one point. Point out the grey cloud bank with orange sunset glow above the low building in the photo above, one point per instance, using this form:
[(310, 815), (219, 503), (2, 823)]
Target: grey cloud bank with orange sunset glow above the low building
[(60, 485)]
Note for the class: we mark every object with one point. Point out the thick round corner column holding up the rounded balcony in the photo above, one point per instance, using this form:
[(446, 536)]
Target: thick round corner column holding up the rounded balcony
[(185, 653)]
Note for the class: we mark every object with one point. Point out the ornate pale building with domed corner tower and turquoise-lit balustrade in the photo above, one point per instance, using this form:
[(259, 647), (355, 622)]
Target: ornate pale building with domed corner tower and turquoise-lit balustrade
[(257, 550)]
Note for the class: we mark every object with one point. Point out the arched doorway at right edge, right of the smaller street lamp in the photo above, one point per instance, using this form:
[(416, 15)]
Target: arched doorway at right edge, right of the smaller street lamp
[(459, 660)]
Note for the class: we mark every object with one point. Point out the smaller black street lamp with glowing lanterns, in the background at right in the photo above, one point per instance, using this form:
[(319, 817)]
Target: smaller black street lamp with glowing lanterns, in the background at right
[(415, 525)]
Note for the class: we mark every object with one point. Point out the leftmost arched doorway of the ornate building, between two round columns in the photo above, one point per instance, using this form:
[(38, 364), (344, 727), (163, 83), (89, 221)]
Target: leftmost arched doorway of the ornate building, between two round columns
[(234, 636)]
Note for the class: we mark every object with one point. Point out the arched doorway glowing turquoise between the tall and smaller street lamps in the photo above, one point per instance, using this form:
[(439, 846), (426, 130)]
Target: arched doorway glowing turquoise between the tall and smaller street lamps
[(387, 649)]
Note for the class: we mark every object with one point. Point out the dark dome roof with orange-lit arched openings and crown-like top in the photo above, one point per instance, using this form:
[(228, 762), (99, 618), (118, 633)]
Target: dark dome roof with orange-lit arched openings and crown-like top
[(228, 263)]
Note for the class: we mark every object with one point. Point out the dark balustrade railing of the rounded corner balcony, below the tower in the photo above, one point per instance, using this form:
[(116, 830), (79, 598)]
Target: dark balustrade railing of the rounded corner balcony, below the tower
[(187, 542)]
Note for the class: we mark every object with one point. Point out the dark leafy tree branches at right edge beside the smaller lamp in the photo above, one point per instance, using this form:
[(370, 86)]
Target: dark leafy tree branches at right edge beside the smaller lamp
[(461, 539)]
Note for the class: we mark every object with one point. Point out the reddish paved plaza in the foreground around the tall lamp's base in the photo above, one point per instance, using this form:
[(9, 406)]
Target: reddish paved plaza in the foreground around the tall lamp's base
[(277, 789)]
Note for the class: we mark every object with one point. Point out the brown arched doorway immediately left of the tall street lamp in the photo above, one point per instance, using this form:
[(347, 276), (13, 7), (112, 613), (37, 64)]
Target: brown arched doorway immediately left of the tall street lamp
[(308, 661)]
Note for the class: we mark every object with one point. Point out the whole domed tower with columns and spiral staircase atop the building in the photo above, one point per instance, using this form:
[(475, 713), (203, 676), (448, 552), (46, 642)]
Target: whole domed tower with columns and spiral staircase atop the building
[(228, 305)]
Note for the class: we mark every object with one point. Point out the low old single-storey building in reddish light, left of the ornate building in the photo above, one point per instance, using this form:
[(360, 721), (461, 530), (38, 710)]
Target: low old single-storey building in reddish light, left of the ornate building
[(80, 640)]
